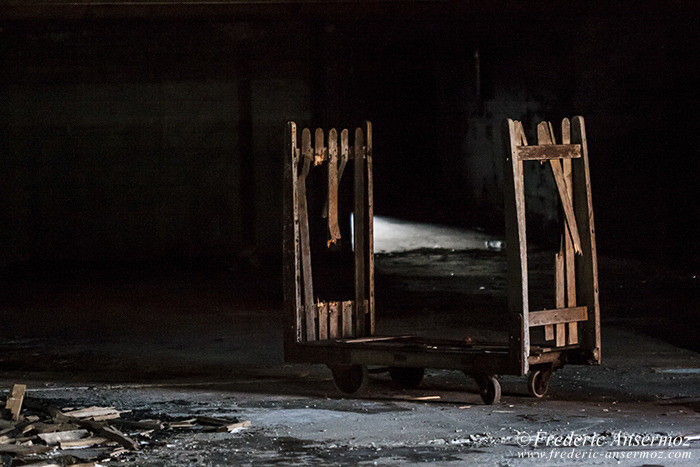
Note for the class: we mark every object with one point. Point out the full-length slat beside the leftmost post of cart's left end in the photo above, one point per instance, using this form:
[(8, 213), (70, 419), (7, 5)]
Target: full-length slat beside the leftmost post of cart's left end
[(309, 307)]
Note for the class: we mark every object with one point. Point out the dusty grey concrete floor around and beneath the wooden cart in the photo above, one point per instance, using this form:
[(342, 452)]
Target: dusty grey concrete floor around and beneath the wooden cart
[(187, 342)]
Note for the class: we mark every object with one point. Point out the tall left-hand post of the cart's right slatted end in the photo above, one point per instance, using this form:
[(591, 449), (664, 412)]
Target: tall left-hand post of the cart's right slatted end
[(514, 196)]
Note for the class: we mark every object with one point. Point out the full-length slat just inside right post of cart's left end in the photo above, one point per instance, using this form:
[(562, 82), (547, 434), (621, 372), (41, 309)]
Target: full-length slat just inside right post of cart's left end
[(359, 219)]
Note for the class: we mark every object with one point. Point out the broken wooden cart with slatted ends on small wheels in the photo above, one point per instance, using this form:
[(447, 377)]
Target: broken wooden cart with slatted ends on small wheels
[(336, 326)]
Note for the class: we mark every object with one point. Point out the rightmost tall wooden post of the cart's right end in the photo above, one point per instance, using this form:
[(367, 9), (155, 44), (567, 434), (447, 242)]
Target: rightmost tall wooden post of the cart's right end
[(587, 264)]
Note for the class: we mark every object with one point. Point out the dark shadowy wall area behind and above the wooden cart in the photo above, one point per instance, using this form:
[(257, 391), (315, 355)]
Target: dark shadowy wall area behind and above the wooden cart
[(148, 133)]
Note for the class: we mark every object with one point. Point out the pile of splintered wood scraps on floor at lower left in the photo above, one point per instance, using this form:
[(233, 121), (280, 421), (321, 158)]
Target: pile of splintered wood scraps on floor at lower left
[(34, 432)]
